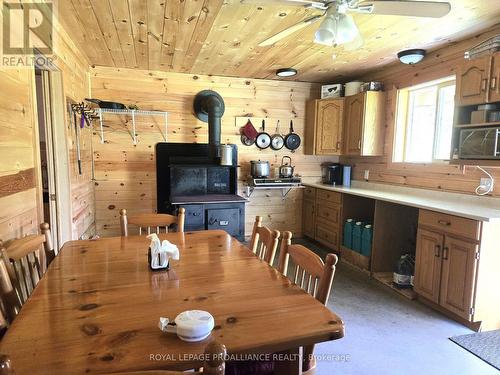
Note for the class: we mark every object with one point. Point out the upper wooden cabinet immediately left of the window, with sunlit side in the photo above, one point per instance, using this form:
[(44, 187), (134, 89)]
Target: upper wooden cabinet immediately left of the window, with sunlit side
[(364, 124)]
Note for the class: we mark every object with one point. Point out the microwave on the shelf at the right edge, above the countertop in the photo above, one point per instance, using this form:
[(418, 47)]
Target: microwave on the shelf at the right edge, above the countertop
[(479, 143)]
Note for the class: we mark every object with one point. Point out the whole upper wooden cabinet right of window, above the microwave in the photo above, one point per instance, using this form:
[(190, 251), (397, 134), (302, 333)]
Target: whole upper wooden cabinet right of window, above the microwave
[(478, 81)]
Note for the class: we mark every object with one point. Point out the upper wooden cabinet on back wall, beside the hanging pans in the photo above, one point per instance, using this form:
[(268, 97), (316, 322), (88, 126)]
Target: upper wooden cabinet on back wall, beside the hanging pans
[(324, 134)]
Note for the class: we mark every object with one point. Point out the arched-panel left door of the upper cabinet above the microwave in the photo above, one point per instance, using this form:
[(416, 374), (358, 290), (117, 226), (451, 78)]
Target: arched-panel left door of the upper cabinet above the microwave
[(472, 81)]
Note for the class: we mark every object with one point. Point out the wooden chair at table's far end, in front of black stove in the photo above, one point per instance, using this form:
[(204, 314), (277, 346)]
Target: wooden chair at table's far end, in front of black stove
[(152, 221)]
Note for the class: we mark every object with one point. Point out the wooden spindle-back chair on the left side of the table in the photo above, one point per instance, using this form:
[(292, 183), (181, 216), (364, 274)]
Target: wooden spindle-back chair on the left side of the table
[(26, 260)]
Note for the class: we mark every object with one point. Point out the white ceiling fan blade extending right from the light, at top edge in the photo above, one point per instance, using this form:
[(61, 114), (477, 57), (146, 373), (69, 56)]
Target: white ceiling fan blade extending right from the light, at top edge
[(431, 9)]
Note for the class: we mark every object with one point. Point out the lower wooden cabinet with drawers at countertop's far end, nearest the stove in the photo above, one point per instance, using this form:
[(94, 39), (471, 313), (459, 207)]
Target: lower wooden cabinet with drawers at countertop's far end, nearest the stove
[(321, 216)]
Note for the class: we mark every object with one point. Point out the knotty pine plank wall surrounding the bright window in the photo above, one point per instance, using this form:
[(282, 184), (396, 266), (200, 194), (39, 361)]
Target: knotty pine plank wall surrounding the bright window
[(445, 177)]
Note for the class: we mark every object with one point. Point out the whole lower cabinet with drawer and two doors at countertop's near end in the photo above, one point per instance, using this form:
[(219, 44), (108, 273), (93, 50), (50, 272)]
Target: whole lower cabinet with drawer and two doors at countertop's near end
[(445, 265)]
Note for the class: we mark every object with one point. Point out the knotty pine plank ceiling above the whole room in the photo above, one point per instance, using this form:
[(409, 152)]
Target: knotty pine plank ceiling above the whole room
[(221, 37)]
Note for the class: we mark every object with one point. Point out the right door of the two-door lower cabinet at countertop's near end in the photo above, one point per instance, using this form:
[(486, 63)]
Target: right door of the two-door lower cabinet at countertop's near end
[(458, 276)]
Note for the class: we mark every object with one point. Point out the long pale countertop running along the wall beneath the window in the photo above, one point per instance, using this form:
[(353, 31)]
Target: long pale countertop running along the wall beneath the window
[(468, 206)]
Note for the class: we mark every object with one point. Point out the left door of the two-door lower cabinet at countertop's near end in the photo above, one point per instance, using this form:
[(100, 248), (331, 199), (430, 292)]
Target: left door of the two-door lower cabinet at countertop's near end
[(428, 264)]
